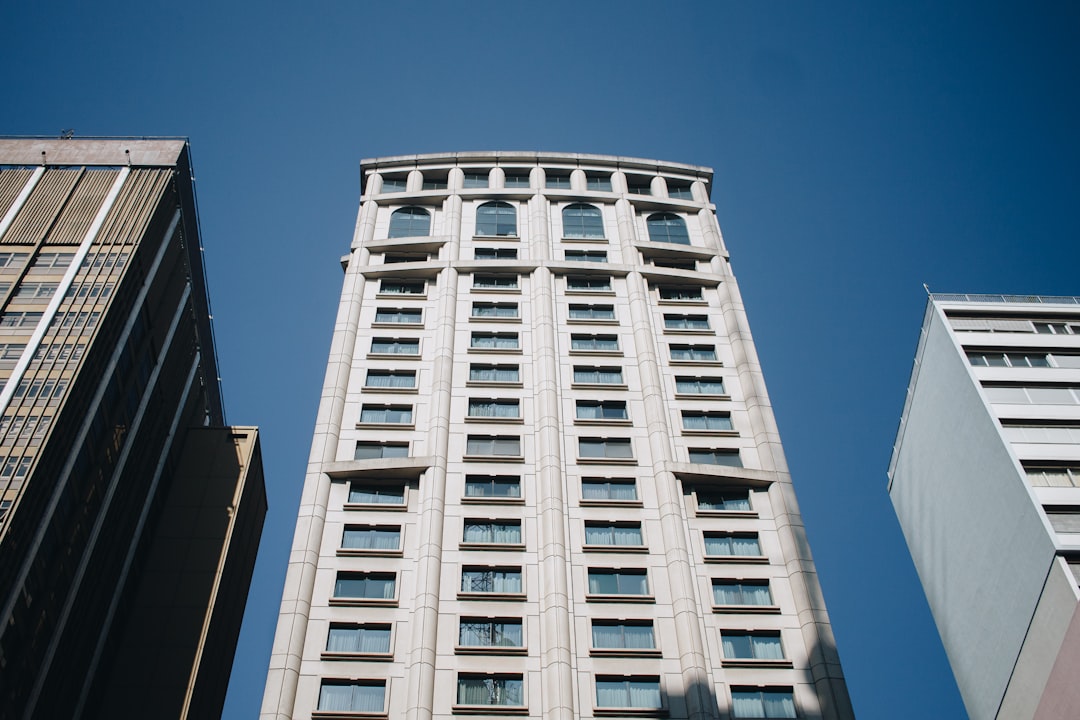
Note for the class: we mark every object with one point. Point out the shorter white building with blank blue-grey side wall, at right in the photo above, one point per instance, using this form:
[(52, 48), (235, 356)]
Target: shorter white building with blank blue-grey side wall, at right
[(984, 479)]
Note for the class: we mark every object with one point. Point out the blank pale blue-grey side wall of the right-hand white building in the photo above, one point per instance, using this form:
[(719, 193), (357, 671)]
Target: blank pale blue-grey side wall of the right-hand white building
[(970, 522)]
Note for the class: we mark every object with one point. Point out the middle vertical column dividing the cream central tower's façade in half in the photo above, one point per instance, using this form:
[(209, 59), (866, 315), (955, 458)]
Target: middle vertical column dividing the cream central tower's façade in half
[(557, 673)]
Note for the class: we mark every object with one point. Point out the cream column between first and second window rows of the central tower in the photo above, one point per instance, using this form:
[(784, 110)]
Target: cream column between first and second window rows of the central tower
[(433, 511)]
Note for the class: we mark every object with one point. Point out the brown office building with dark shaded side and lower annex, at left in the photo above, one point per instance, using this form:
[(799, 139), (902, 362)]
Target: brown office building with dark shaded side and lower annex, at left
[(130, 514)]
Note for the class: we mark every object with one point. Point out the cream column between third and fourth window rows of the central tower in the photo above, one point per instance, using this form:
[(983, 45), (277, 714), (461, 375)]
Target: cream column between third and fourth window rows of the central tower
[(697, 677)]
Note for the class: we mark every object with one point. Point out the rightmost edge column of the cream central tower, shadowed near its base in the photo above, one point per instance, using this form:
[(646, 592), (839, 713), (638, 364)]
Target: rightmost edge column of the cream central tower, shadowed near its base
[(825, 660)]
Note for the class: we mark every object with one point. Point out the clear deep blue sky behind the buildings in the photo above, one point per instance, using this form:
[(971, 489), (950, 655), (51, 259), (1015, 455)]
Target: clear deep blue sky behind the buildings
[(861, 151)]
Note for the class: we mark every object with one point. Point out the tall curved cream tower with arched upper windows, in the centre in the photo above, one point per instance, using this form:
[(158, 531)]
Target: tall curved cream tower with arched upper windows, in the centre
[(546, 479)]
